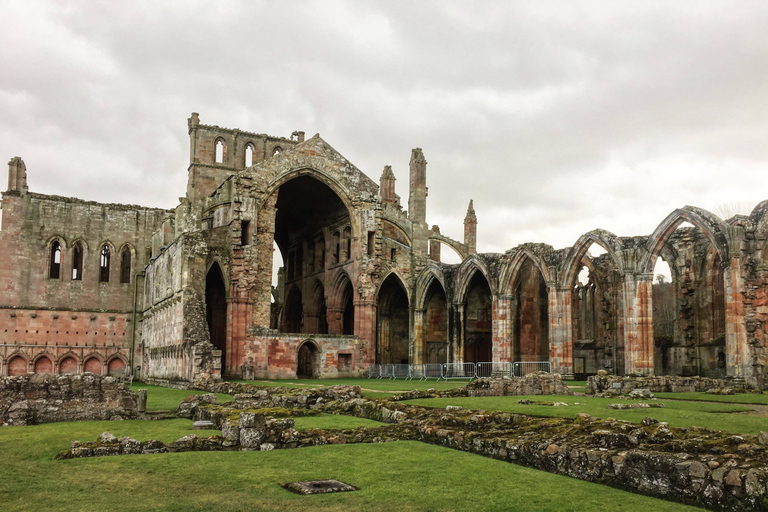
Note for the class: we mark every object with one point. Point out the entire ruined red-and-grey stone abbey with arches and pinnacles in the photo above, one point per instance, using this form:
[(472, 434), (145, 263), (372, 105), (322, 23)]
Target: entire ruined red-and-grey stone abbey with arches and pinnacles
[(184, 295)]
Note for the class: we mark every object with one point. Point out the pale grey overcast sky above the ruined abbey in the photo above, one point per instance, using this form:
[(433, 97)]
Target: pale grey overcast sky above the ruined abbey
[(555, 117)]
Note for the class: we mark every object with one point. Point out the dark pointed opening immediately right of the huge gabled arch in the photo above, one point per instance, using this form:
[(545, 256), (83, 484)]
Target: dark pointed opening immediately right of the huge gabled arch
[(393, 326)]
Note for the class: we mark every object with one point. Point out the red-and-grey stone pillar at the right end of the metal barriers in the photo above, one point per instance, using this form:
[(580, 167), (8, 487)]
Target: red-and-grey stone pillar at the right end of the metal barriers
[(561, 331)]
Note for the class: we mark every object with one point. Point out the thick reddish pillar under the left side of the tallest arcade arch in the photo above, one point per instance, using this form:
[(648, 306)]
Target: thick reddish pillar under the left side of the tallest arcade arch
[(638, 324)]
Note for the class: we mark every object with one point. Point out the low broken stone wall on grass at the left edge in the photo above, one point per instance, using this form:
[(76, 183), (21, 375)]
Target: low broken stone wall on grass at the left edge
[(41, 398)]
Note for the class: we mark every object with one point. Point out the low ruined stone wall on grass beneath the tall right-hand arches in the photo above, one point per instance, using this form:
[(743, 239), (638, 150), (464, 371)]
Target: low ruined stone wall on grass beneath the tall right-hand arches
[(613, 384)]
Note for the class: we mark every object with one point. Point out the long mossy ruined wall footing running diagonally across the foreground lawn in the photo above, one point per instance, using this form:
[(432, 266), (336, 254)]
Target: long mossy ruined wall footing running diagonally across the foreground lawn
[(713, 469)]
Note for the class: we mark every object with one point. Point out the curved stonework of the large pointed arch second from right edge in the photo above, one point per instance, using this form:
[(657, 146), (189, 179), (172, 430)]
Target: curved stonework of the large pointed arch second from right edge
[(711, 225)]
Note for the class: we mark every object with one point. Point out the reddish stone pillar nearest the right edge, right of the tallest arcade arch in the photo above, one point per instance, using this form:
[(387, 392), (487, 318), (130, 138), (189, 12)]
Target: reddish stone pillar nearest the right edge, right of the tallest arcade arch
[(737, 356)]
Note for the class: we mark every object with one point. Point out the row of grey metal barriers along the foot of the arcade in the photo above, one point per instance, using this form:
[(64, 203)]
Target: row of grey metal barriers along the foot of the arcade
[(448, 371)]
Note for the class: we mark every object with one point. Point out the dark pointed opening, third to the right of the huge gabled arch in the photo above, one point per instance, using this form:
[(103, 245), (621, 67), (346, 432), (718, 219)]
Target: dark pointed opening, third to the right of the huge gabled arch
[(478, 321)]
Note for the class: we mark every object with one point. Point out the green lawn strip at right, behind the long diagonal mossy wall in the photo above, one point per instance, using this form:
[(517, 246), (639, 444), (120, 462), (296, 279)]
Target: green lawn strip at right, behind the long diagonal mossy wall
[(719, 416)]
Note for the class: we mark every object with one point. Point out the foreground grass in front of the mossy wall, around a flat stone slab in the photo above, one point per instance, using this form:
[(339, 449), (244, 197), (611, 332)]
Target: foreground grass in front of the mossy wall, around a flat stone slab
[(392, 476)]
